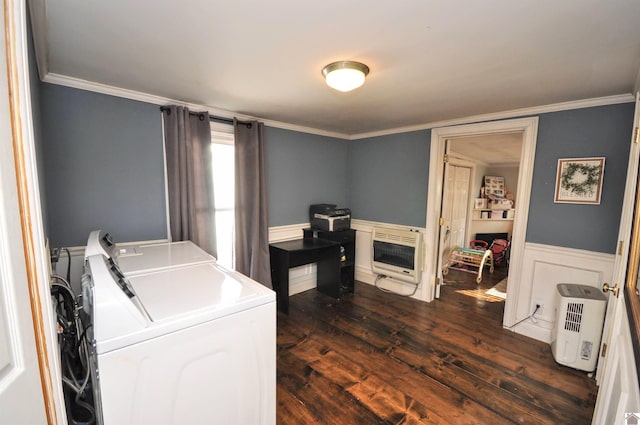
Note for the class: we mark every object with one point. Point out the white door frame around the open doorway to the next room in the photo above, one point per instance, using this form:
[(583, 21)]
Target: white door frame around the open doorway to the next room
[(529, 129)]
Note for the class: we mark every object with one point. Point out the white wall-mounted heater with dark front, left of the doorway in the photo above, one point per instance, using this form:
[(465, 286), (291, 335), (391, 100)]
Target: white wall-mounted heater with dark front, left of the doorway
[(397, 253)]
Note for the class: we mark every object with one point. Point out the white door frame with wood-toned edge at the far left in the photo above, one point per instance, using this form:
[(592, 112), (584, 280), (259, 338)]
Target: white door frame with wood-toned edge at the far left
[(30, 220)]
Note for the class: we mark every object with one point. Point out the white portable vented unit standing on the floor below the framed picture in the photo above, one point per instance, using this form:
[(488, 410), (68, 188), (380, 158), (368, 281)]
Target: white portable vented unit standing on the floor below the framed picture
[(575, 337)]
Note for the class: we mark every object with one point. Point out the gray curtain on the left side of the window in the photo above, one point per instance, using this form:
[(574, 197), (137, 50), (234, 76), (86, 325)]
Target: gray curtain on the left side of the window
[(189, 177)]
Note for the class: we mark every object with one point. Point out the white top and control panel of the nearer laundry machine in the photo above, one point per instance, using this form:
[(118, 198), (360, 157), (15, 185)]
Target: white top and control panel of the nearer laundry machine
[(166, 301)]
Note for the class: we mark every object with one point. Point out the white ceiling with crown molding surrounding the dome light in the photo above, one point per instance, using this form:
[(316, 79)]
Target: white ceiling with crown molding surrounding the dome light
[(430, 60)]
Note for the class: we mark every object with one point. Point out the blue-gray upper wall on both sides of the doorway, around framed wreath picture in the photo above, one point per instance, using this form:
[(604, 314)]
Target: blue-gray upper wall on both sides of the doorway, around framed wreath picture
[(389, 177)]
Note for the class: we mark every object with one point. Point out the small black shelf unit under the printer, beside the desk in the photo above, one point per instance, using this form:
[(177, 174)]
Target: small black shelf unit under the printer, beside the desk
[(347, 240)]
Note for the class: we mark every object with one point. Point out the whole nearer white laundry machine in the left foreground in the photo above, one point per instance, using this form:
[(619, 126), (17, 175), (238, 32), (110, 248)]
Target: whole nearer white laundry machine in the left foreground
[(189, 345)]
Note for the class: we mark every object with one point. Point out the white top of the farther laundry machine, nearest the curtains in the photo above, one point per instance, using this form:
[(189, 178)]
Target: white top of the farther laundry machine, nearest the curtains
[(143, 258)]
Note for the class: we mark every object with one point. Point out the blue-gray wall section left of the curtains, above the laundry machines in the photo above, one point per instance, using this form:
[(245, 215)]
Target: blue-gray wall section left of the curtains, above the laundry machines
[(104, 166)]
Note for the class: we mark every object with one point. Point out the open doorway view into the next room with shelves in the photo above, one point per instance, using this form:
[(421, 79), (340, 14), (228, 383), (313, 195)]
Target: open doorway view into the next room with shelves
[(486, 203)]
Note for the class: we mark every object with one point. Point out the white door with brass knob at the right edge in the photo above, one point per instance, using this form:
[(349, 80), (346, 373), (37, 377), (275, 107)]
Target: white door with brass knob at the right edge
[(616, 374)]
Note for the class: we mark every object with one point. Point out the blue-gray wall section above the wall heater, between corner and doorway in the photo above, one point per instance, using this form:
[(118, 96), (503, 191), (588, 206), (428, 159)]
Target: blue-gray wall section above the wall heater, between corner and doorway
[(388, 178)]
